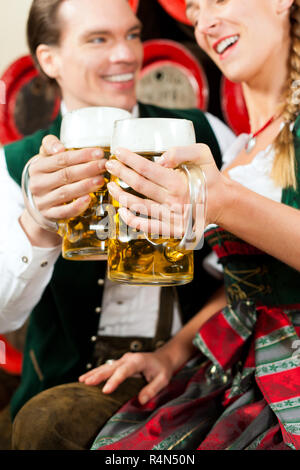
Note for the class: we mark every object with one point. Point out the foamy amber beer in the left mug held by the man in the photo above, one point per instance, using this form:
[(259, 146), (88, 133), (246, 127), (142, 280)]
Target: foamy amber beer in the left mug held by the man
[(86, 237)]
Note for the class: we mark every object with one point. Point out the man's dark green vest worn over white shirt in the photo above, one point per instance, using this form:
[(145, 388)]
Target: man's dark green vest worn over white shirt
[(58, 345)]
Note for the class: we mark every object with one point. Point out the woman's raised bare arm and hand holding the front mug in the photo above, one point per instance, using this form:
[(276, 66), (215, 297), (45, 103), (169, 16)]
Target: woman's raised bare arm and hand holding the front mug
[(270, 226)]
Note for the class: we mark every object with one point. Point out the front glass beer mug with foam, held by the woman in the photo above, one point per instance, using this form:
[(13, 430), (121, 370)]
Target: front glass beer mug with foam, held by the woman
[(139, 258)]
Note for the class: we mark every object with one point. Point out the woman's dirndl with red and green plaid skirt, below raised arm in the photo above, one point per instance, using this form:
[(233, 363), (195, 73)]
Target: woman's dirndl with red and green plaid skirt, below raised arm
[(242, 390)]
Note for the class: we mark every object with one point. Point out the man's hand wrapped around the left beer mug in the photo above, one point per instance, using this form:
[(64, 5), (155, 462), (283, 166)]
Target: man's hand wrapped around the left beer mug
[(60, 183)]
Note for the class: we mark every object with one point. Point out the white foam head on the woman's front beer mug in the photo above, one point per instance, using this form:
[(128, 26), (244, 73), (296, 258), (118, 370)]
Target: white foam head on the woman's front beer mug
[(152, 134)]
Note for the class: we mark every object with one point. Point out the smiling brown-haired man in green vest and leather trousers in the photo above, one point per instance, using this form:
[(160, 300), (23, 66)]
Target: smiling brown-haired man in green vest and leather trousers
[(92, 50)]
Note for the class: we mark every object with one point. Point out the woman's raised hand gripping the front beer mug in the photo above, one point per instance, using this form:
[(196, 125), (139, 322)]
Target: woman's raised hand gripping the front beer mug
[(165, 187)]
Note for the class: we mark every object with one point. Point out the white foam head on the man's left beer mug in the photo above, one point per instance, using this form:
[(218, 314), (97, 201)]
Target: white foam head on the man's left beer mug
[(90, 127)]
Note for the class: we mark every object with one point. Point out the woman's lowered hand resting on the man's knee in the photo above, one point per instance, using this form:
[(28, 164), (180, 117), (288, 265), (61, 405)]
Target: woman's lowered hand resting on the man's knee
[(156, 367)]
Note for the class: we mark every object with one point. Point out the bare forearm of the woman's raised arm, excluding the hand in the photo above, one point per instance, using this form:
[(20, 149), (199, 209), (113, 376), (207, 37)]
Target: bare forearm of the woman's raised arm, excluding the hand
[(270, 226)]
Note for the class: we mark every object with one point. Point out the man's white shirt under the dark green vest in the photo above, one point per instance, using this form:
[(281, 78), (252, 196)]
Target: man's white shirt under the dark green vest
[(25, 271)]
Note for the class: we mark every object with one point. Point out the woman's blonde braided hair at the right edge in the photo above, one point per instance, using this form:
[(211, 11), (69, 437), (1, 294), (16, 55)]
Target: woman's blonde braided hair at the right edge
[(284, 168)]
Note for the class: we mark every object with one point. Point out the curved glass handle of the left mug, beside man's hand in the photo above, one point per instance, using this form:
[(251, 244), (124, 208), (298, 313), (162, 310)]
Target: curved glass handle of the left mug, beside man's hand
[(30, 205)]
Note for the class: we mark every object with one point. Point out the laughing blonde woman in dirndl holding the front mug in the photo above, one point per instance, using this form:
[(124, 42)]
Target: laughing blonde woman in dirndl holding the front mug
[(243, 390)]
